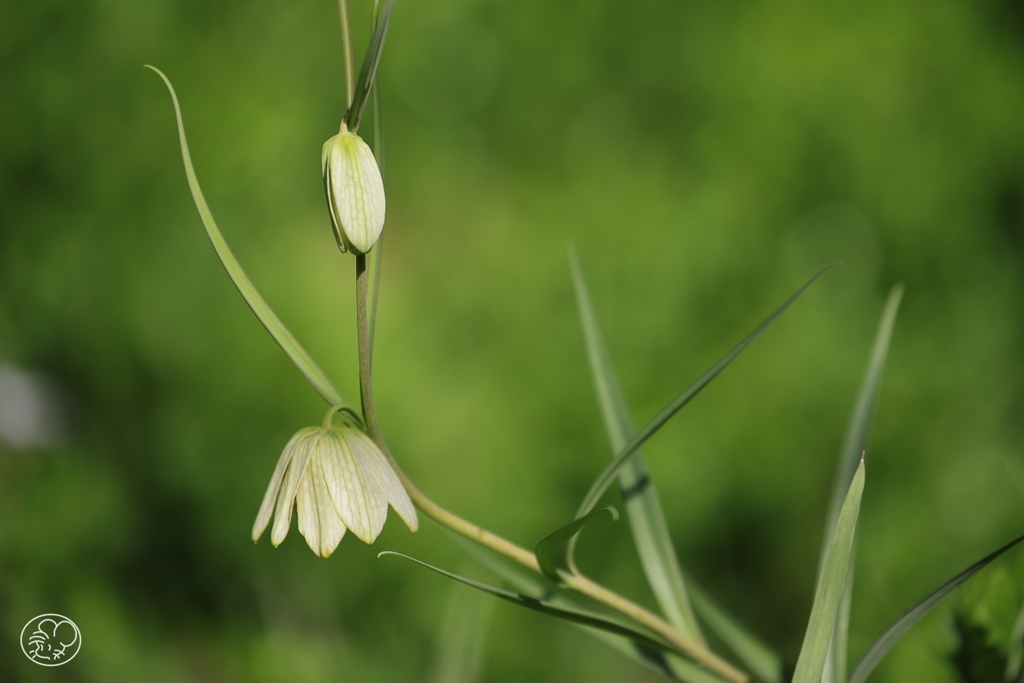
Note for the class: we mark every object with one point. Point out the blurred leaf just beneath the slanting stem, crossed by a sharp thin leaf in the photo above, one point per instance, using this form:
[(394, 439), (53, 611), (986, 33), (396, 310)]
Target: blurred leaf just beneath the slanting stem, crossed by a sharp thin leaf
[(538, 586)]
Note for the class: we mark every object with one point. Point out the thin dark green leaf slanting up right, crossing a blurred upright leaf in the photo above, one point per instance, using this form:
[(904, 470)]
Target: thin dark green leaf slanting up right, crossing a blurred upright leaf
[(612, 472)]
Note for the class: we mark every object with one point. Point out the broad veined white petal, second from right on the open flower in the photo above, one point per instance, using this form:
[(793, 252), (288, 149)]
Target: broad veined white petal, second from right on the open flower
[(360, 503)]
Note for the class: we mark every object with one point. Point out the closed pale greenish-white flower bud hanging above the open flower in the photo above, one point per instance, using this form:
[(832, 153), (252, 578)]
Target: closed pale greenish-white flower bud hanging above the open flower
[(355, 192)]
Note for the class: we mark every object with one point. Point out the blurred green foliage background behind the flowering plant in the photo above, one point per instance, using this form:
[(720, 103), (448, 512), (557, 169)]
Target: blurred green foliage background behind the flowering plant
[(705, 158)]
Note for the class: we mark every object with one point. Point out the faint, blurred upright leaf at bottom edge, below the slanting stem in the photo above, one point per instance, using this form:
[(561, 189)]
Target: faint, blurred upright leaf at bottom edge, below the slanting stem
[(460, 647)]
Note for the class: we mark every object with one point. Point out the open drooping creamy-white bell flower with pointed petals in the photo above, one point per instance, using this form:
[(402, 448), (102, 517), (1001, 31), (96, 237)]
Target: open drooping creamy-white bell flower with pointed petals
[(338, 480)]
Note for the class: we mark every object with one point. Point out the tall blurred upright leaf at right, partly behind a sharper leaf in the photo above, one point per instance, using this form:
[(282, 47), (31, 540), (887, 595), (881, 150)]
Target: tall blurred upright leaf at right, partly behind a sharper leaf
[(854, 446)]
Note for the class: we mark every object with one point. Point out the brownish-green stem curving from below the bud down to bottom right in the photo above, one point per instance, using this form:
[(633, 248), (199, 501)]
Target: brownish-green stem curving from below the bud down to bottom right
[(577, 582)]
